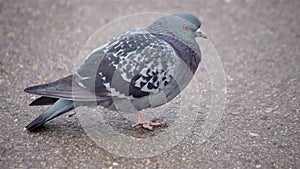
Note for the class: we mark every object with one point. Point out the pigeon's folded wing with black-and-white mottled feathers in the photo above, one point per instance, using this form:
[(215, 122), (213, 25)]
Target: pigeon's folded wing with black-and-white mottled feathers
[(135, 64)]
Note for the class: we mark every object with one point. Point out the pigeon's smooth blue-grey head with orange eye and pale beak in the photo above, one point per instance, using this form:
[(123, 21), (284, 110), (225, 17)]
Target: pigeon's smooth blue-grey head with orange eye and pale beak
[(182, 26)]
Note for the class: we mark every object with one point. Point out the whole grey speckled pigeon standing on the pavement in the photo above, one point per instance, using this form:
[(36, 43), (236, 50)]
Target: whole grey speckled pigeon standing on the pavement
[(146, 67)]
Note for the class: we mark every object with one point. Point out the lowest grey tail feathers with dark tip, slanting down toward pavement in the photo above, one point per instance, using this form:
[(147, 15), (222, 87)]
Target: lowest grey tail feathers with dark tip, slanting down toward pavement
[(58, 108)]
